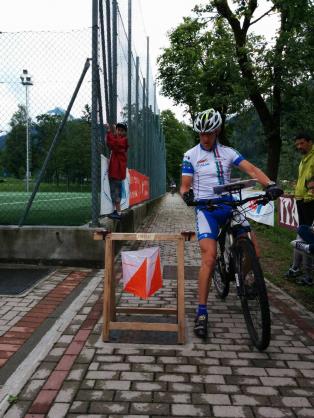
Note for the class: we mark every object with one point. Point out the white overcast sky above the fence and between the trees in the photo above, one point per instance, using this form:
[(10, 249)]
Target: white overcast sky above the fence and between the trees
[(153, 18)]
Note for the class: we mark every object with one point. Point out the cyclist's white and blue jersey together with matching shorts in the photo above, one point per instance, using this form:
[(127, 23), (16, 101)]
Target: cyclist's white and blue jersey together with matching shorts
[(210, 169)]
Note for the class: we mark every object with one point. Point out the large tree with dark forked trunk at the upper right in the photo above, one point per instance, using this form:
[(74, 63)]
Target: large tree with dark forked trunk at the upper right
[(281, 62)]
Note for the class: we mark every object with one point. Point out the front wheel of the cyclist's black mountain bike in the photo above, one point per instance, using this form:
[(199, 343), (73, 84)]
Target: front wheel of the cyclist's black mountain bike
[(254, 299)]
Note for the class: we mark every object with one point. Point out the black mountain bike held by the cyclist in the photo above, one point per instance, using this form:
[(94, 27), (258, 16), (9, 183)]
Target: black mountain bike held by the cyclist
[(237, 261)]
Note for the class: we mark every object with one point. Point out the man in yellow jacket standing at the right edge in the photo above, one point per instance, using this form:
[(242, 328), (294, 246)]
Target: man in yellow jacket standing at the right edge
[(304, 195)]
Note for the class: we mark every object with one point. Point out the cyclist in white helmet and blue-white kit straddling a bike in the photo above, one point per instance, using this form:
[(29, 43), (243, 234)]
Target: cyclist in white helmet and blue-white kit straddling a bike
[(205, 166)]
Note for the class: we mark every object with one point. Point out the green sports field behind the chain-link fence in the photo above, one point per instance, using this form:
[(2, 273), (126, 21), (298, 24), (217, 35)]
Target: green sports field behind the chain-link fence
[(49, 208)]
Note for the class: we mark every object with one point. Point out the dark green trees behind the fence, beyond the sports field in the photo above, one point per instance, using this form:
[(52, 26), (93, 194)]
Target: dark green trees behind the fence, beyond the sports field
[(70, 160)]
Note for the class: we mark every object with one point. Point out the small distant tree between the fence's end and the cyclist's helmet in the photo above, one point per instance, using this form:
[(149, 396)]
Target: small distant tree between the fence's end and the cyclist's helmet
[(178, 139)]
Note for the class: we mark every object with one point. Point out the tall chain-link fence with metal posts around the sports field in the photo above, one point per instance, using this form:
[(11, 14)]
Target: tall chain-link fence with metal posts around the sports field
[(52, 114)]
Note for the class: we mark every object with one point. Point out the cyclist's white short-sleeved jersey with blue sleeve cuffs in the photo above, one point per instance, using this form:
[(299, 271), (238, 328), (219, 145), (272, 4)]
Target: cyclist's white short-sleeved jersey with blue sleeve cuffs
[(209, 168)]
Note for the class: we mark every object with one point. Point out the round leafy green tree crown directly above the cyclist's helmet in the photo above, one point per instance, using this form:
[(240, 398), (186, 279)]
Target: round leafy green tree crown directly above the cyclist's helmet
[(198, 70)]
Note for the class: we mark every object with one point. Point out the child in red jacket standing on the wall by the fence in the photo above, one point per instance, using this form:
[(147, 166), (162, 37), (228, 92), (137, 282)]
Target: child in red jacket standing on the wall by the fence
[(117, 143)]
